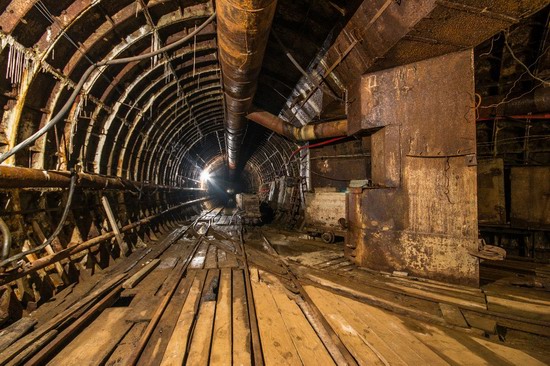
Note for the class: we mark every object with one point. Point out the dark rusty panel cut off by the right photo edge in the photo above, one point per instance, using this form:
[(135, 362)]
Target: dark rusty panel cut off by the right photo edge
[(530, 206)]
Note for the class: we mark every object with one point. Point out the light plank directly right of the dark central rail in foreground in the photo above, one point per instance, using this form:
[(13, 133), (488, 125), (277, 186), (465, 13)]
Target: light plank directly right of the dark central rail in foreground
[(277, 345)]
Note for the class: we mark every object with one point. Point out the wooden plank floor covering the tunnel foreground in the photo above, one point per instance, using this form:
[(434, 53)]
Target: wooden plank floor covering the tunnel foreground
[(207, 322)]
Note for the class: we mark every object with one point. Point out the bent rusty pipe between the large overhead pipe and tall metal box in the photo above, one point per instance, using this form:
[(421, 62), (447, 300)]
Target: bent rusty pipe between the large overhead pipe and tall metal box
[(306, 133)]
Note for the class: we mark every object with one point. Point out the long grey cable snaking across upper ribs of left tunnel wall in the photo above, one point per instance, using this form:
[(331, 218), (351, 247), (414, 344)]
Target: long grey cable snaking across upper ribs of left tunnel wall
[(66, 107)]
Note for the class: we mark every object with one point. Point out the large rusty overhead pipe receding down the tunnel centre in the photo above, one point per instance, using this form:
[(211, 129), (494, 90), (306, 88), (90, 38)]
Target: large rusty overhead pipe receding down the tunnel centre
[(243, 31)]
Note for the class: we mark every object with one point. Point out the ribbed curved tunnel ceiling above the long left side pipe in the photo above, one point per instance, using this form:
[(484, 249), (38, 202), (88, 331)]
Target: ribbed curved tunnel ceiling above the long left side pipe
[(158, 120)]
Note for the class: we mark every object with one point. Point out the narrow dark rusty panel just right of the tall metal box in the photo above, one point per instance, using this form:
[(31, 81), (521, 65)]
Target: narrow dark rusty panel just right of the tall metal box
[(490, 189)]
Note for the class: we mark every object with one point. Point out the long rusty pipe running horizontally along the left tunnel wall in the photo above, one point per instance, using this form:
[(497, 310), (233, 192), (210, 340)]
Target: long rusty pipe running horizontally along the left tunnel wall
[(18, 177)]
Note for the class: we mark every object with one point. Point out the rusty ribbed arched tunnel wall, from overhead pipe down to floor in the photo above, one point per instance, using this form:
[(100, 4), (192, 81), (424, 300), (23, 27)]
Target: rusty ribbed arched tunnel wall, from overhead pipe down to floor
[(138, 135)]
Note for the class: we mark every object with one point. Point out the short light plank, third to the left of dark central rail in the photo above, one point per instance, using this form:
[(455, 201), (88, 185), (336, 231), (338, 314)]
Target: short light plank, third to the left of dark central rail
[(199, 351)]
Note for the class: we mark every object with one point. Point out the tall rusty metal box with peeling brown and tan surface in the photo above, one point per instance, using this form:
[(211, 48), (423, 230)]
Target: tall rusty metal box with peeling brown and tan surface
[(424, 140)]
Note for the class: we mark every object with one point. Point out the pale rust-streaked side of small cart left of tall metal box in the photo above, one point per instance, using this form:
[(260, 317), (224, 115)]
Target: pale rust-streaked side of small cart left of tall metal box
[(324, 209)]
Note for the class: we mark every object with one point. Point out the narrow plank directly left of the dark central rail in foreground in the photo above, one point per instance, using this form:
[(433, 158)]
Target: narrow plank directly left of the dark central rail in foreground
[(241, 326)]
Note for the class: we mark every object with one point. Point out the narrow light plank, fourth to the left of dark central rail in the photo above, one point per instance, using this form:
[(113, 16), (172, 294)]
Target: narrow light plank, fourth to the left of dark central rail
[(177, 345)]
